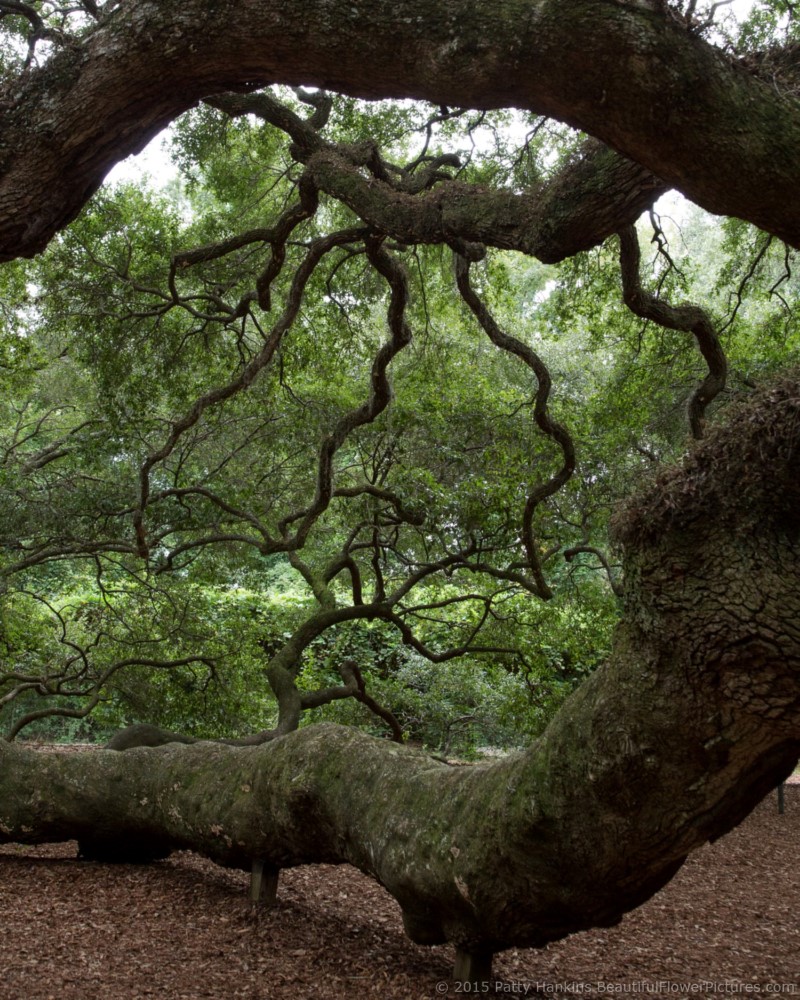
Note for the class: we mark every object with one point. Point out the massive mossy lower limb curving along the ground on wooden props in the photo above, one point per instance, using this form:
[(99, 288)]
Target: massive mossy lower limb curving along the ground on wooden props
[(693, 720)]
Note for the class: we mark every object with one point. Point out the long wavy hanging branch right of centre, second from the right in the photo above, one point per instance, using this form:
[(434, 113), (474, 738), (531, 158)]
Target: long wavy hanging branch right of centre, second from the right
[(552, 428)]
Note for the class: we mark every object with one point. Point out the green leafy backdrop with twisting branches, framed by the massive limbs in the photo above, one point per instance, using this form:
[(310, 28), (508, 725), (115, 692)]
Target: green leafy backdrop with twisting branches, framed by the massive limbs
[(245, 368)]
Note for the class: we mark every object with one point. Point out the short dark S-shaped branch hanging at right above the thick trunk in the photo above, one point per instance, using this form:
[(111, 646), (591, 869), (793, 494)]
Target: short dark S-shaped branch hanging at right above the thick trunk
[(686, 318)]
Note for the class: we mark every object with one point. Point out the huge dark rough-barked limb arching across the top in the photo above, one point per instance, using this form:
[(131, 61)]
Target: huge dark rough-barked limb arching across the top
[(627, 72)]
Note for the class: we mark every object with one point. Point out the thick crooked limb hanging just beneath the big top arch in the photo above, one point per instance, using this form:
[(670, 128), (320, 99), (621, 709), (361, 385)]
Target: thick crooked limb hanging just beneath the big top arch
[(578, 208)]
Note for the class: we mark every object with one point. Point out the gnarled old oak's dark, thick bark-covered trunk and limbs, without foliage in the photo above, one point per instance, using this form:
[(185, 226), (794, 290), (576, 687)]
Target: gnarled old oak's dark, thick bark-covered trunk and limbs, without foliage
[(697, 713)]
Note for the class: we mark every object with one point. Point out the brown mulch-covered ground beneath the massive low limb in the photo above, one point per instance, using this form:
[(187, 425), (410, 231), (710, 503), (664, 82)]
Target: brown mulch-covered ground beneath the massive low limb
[(181, 929)]
